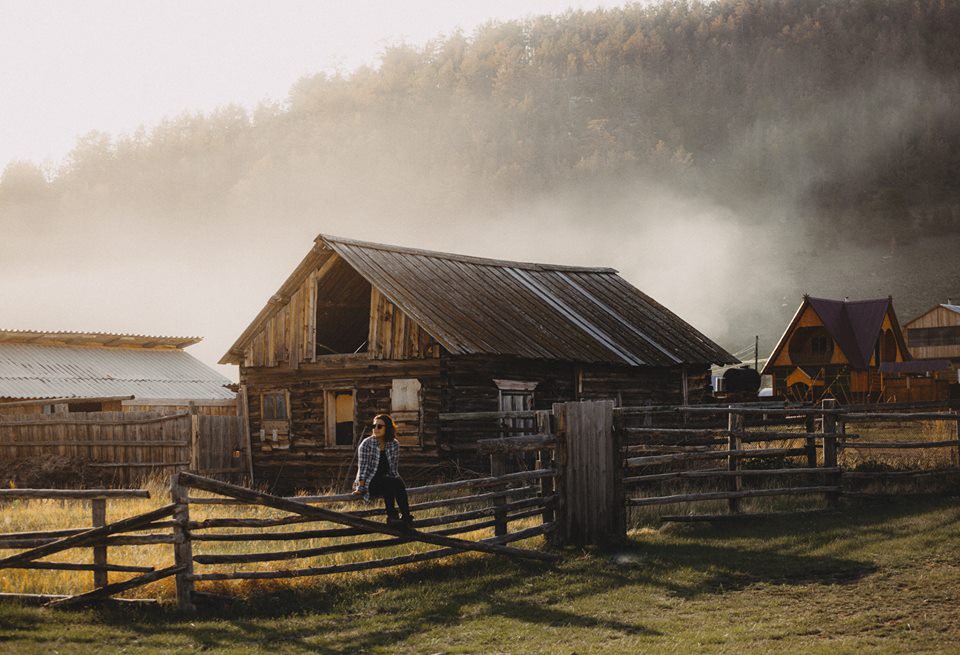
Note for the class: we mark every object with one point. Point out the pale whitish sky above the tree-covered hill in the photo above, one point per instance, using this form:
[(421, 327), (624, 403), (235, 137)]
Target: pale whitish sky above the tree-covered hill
[(70, 67)]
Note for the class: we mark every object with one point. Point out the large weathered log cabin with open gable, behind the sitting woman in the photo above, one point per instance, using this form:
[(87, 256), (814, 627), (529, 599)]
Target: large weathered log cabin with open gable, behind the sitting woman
[(361, 328)]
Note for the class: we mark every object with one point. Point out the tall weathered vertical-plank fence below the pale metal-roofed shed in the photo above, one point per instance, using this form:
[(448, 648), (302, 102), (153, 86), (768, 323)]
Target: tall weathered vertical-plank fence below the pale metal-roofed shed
[(128, 446)]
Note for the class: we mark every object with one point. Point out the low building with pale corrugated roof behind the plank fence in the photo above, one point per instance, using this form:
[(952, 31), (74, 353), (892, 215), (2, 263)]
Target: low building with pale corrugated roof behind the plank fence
[(47, 372)]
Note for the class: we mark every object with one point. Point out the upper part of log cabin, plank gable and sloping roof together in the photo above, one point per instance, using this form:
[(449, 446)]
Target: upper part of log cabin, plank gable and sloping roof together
[(472, 306)]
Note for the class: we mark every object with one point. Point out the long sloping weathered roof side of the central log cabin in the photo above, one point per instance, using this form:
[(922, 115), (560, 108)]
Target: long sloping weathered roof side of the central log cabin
[(484, 306)]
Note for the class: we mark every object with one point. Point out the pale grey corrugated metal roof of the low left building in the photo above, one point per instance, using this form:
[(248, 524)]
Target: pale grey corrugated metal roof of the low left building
[(31, 371)]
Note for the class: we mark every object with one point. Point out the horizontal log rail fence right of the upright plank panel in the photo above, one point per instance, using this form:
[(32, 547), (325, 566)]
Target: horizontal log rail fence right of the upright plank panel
[(766, 463)]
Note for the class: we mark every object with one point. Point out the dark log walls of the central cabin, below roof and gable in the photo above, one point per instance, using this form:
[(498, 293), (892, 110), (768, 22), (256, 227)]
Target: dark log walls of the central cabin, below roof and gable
[(304, 459)]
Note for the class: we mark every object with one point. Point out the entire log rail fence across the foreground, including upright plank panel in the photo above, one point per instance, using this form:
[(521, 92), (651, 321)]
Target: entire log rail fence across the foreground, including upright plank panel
[(583, 460)]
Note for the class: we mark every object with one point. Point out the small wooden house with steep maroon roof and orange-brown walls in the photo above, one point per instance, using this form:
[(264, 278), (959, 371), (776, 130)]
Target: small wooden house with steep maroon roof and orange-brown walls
[(835, 349)]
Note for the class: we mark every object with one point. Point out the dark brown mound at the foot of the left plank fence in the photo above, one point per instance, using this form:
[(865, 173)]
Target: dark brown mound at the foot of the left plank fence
[(51, 472)]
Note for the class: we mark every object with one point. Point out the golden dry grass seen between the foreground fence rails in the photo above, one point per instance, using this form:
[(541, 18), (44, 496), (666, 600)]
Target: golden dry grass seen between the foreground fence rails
[(39, 515)]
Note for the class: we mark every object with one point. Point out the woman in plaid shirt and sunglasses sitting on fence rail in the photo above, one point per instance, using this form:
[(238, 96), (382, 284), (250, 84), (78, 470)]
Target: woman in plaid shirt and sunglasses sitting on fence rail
[(378, 456)]
